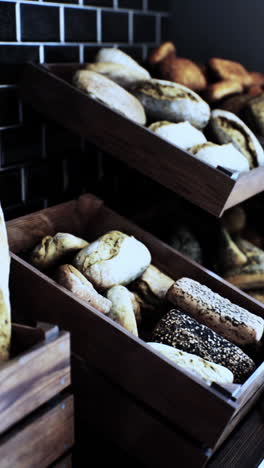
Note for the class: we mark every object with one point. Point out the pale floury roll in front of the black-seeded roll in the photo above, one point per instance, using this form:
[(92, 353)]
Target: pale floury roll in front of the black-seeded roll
[(197, 366)]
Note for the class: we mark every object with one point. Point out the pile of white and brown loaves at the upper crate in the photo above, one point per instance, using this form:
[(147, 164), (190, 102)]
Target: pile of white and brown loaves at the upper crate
[(175, 105)]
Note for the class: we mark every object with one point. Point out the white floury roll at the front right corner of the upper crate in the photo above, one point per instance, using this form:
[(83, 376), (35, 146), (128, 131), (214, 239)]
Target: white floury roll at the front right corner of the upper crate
[(226, 156)]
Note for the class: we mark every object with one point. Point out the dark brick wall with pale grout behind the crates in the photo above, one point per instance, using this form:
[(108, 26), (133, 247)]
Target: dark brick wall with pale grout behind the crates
[(40, 163)]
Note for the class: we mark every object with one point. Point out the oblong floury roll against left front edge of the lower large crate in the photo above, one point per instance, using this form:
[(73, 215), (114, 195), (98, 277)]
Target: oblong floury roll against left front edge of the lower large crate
[(71, 279)]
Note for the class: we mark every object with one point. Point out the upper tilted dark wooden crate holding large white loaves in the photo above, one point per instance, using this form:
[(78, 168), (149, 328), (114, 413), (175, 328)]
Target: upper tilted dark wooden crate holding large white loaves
[(48, 88)]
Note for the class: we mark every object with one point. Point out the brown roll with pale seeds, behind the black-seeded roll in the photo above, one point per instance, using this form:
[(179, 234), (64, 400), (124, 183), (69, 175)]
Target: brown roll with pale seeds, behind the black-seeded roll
[(229, 320)]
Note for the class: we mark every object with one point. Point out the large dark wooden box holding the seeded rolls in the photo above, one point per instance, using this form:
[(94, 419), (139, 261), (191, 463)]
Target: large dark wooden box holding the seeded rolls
[(123, 384)]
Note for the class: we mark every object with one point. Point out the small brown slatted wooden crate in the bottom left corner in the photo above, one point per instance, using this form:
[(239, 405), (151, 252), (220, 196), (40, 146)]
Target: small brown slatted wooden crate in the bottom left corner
[(36, 407)]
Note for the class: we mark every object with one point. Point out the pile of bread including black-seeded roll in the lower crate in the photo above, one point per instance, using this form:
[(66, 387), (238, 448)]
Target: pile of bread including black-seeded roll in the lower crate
[(196, 328)]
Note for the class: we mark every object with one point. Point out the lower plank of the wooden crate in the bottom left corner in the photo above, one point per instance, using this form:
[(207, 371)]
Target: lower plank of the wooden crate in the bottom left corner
[(41, 440)]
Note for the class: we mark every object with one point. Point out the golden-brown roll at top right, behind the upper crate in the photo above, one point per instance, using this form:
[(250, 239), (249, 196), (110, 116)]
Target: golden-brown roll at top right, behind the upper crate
[(229, 70)]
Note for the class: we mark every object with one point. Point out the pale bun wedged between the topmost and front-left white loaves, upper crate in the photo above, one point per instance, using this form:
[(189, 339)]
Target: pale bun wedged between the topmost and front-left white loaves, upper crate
[(120, 74)]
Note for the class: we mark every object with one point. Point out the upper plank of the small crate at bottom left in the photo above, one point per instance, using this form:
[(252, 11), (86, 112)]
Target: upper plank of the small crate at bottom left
[(32, 378)]
